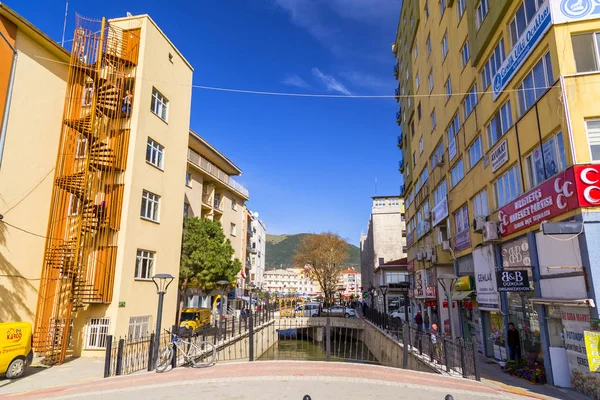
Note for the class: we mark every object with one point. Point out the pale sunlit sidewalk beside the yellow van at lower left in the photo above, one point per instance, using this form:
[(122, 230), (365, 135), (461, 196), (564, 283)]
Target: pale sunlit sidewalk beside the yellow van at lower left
[(41, 377)]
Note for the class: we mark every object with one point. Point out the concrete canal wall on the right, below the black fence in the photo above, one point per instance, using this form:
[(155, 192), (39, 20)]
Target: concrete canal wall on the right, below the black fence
[(389, 352)]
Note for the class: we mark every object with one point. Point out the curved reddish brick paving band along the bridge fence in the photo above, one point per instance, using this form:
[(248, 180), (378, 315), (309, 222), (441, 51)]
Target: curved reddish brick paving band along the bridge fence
[(334, 374)]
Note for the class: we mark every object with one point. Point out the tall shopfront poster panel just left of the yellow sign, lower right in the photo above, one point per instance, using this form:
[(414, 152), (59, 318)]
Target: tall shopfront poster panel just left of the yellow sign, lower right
[(575, 321)]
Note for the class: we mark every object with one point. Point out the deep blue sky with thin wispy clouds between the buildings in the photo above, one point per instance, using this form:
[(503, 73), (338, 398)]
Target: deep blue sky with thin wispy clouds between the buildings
[(310, 164)]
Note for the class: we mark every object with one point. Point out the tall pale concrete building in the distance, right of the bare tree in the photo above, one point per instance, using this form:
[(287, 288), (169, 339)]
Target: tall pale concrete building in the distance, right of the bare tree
[(385, 239)]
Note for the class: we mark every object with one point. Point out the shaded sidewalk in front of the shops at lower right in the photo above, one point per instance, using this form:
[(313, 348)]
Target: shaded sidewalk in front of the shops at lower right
[(493, 376)]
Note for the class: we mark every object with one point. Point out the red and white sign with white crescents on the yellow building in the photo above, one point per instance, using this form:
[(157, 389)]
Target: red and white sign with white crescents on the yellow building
[(578, 186)]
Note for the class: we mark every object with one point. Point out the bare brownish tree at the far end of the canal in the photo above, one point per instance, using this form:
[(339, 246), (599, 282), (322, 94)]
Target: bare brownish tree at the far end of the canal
[(325, 253)]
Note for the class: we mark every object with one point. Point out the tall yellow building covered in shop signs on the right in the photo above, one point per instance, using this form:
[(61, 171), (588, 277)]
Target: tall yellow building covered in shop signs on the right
[(500, 142)]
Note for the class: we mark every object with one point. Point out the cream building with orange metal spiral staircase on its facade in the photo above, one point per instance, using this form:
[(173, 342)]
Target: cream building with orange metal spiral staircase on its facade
[(92, 181)]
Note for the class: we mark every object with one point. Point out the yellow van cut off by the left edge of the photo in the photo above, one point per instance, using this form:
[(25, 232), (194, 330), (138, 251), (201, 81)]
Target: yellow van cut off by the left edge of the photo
[(16, 341)]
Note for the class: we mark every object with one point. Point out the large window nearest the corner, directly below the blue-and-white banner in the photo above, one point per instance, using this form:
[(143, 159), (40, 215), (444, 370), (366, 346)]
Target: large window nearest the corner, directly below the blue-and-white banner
[(535, 84)]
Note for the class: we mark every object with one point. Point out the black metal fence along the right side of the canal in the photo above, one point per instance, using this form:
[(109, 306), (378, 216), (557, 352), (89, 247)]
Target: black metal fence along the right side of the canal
[(440, 351)]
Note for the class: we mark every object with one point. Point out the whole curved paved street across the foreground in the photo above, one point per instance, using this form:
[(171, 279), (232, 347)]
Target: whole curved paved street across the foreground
[(277, 380)]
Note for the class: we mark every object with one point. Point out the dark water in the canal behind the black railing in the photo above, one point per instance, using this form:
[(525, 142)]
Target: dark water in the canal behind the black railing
[(309, 344)]
